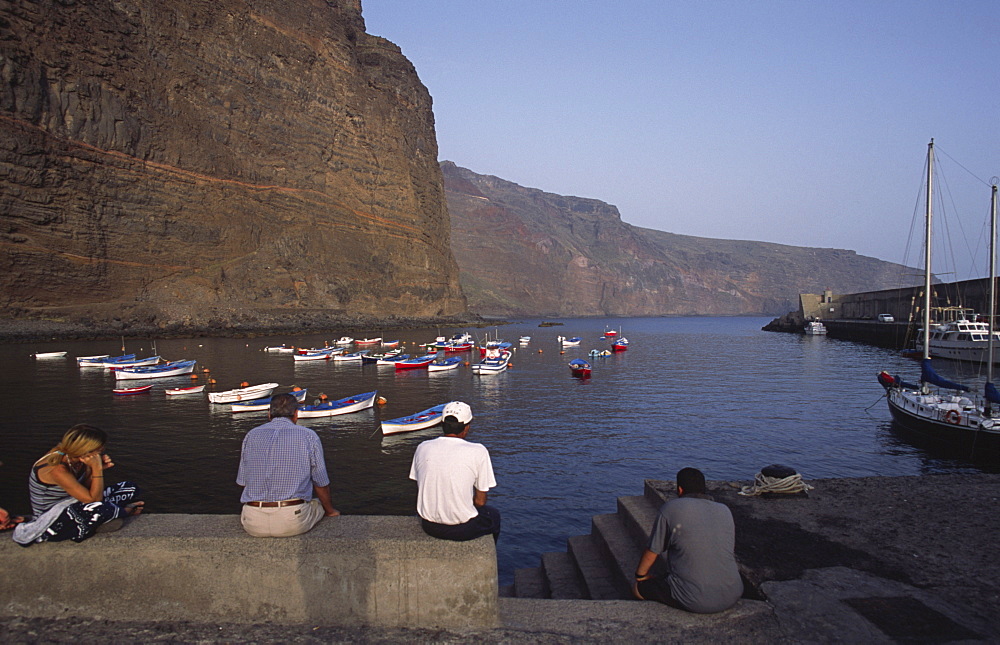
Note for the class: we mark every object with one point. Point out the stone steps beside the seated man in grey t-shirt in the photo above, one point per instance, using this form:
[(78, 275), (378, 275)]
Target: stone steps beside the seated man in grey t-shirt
[(599, 566)]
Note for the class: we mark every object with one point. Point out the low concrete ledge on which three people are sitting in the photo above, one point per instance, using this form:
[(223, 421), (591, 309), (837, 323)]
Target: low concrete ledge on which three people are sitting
[(349, 570)]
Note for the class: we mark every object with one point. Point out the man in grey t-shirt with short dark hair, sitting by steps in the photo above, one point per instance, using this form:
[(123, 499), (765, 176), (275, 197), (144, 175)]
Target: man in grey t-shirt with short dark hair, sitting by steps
[(698, 535)]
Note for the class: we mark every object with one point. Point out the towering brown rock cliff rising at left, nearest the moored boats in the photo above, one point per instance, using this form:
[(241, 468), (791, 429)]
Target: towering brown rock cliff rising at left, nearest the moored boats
[(184, 160)]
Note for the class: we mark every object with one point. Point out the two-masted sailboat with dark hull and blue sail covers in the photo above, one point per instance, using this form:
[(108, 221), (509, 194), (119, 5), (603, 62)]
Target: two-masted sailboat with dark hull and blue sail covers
[(937, 406)]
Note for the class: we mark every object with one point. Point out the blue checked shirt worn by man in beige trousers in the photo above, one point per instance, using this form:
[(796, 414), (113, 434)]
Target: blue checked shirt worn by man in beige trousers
[(281, 460)]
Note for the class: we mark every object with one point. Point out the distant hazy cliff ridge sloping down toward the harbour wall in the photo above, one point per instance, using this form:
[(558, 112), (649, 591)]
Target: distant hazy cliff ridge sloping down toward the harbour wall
[(526, 252)]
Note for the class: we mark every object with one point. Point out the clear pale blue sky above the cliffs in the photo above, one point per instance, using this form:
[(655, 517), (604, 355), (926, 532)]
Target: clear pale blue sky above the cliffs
[(799, 122)]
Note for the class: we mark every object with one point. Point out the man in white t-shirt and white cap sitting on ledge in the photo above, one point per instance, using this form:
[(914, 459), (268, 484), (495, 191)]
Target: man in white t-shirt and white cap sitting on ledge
[(453, 476)]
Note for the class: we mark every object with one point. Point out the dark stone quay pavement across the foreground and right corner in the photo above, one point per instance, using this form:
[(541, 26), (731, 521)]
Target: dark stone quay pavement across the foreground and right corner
[(875, 560)]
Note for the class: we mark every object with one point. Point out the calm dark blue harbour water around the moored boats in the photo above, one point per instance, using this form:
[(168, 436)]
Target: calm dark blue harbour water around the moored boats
[(716, 393)]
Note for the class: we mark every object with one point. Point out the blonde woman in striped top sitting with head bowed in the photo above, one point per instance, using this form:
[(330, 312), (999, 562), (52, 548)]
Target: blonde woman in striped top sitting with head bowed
[(68, 493)]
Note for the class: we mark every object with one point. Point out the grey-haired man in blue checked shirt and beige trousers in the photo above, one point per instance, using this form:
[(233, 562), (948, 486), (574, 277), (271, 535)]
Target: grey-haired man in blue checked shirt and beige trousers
[(286, 490)]
